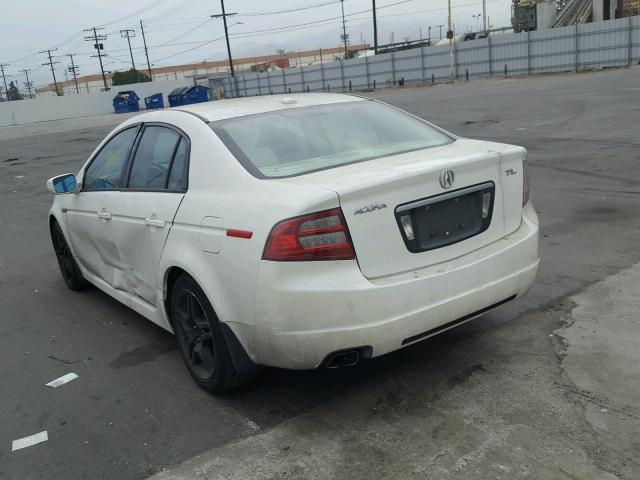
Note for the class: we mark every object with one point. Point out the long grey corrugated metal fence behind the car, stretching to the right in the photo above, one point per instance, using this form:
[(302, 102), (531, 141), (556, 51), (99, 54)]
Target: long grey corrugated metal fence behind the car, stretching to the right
[(613, 43)]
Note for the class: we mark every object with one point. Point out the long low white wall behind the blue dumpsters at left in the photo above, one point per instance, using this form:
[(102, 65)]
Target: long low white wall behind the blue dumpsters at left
[(55, 108)]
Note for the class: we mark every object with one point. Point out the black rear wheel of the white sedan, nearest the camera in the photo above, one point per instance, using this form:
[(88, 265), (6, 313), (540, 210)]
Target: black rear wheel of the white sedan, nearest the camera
[(200, 338)]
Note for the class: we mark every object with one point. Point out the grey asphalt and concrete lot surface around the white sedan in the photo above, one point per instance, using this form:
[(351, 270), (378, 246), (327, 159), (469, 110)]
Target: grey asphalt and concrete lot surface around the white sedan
[(544, 388)]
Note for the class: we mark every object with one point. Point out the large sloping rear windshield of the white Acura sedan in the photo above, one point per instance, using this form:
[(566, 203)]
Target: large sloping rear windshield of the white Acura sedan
[(302, 140)]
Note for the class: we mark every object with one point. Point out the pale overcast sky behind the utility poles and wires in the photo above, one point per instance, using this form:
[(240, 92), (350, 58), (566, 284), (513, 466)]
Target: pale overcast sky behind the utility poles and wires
[(180, 31)]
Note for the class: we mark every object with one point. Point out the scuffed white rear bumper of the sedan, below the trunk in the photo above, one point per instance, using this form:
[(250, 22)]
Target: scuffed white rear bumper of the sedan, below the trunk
[(305, 310)]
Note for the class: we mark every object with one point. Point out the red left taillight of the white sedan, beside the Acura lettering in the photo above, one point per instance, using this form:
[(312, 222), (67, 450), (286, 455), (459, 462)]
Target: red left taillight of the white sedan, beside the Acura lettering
[(317, 236)]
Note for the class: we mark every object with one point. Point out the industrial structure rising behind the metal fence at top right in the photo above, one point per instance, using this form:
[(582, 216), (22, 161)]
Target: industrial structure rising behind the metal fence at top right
[(528, 15)]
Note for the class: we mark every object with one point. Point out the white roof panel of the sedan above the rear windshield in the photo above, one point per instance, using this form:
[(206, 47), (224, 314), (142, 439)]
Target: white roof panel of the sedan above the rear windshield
[(240, 107)]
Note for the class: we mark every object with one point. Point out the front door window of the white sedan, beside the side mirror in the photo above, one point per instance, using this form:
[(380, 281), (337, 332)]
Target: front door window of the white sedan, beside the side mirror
[(106, 169)]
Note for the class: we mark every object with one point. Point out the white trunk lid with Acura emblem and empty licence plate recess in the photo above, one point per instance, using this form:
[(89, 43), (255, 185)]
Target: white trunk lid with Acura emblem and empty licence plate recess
[(447, 222)]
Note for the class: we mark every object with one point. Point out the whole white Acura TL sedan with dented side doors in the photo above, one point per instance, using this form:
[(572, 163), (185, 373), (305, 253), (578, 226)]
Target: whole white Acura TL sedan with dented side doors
[(296, 231)]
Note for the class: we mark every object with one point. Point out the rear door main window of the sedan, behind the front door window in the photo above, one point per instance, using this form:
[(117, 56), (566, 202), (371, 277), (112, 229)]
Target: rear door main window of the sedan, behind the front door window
[(152, 161)]
